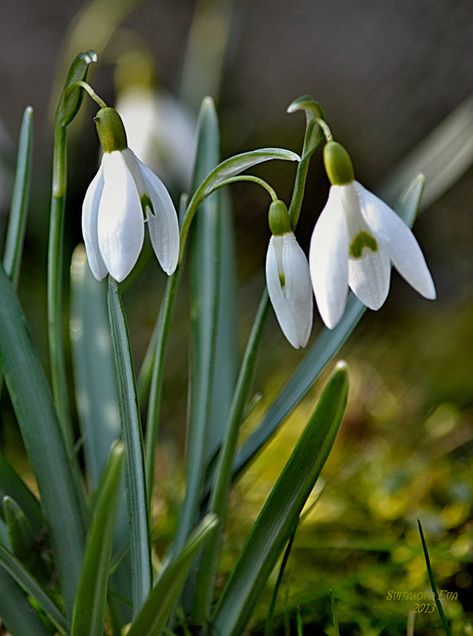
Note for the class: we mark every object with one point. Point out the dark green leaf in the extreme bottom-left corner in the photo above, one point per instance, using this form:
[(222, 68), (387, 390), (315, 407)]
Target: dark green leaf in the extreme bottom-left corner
[(17, 614)]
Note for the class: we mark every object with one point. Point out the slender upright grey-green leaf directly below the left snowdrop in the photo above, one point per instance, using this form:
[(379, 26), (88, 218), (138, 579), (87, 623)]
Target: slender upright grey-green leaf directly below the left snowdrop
[(140, 551)]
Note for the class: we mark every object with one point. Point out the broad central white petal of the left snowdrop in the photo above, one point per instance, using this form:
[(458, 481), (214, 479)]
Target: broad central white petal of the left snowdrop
[(120, 219)]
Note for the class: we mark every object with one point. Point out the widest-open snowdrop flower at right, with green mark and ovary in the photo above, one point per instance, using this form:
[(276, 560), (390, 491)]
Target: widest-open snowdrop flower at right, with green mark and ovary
[(356, 239)]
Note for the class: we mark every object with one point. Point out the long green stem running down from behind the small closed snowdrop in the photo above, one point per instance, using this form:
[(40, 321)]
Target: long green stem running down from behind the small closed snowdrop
[(219, 497)]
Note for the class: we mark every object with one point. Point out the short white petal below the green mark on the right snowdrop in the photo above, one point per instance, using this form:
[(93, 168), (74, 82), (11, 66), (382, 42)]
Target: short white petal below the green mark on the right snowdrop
[(369, 277)]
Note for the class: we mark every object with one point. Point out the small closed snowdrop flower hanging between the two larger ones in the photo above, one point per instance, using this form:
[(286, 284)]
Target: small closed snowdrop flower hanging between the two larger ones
[(288, 279)]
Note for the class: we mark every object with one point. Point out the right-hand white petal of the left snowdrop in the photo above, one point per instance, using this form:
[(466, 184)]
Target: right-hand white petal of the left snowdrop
[(163, 226)]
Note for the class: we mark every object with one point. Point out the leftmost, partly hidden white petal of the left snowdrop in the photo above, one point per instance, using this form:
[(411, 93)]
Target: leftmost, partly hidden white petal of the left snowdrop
[(90, 211)]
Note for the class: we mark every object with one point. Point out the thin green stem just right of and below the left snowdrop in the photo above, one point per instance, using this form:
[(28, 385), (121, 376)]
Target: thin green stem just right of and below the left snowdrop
[(159, 340)]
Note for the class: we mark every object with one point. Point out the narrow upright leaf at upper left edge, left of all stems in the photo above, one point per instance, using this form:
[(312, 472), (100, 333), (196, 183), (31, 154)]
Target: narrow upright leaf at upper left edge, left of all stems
[(20, 199)]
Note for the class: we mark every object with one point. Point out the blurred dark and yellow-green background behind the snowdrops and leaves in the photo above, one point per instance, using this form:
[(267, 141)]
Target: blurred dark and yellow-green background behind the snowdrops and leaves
[(388, 75)]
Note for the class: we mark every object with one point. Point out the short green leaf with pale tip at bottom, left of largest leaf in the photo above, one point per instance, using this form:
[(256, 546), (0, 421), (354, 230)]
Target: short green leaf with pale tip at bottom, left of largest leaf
[(157, 609)]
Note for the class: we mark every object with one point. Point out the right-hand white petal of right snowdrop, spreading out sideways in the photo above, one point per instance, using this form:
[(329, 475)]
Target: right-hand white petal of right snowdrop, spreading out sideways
[(399, 241)]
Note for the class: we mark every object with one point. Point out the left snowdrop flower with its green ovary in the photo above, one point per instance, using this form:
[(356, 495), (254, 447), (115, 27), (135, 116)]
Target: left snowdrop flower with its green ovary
[(123, 197)]
